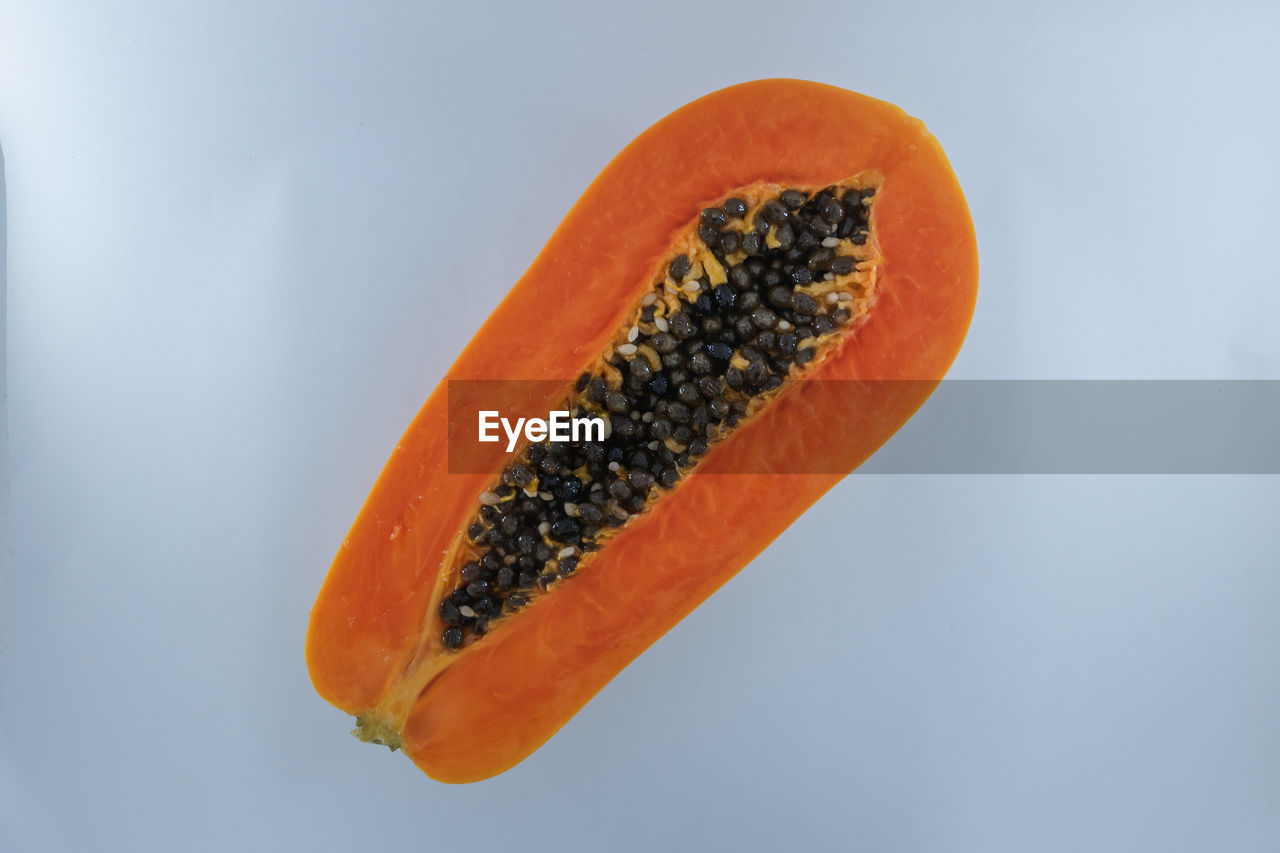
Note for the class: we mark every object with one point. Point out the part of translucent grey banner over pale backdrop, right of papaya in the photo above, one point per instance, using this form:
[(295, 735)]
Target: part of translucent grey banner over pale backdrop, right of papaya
[(1090, 427)]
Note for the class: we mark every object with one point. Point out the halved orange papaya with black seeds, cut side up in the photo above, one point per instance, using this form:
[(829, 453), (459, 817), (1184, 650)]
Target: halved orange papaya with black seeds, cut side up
[(748, 302)]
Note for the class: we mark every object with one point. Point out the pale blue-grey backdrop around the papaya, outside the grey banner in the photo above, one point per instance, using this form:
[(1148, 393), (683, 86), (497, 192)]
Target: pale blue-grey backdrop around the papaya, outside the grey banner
[(246, 241)]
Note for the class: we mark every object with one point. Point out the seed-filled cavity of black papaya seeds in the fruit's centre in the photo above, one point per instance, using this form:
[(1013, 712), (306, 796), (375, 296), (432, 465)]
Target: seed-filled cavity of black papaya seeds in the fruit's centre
[(761, 288)]
